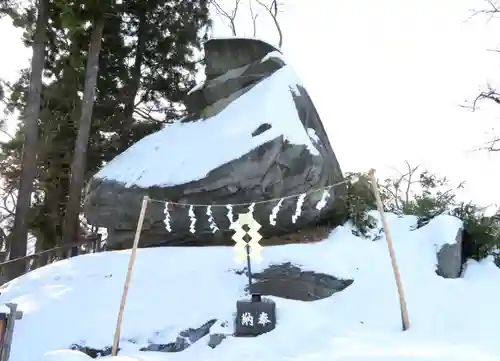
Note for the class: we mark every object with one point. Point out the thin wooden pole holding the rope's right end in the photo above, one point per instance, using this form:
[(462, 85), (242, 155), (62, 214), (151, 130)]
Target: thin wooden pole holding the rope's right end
[(399, 284)]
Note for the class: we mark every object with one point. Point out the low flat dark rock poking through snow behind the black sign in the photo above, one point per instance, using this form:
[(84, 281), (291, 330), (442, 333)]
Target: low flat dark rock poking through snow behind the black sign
[(289, 281)]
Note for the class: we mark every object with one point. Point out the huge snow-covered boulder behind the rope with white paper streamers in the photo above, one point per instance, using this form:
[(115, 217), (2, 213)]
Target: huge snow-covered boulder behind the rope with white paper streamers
[(251, 134)]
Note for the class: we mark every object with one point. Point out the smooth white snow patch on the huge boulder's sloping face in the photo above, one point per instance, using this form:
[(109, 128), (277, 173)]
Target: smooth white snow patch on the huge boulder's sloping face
[(167, 157)]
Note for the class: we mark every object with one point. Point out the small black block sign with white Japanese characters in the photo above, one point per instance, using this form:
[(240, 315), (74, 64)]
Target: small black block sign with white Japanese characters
[(255, 317)]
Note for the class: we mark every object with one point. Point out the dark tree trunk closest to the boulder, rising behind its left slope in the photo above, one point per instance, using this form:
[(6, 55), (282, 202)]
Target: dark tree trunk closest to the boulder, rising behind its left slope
[(135, 79)]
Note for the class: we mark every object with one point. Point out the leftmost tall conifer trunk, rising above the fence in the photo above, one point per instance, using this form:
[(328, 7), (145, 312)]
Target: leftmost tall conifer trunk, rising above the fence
[(19, 233)]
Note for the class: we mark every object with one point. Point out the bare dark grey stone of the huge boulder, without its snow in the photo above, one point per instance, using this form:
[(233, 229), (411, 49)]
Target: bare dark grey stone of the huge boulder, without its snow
[(275, 169)]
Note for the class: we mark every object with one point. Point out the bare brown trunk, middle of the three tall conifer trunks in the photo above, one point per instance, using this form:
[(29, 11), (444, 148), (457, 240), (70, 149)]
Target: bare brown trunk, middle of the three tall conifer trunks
[(78, 165)]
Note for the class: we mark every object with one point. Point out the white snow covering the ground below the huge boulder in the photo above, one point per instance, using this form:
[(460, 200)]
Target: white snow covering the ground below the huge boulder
[(77, 300)]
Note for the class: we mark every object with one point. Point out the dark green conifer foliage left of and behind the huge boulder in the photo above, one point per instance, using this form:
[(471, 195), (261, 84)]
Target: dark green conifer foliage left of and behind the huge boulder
[(143, 58)]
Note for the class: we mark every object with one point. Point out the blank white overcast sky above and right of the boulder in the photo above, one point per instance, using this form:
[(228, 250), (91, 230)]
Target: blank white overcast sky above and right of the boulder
[(387, 78)]
